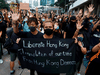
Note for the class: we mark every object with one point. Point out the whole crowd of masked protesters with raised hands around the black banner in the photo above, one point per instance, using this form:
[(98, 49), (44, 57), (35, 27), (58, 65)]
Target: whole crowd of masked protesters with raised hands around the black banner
[(83, 27)]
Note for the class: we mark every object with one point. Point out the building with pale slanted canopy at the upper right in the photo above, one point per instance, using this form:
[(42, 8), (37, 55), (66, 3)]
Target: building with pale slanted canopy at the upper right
[(82, 4)]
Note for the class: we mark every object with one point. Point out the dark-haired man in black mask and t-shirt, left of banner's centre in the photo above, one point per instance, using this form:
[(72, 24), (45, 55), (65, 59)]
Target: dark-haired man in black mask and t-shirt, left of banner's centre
[(32, 23)]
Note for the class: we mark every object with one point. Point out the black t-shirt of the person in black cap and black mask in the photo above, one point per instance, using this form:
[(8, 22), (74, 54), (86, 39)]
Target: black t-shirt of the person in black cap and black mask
[(70, 31)]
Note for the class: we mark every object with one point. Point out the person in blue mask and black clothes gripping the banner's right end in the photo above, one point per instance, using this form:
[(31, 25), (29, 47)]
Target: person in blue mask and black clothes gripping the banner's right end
[(80, 51)]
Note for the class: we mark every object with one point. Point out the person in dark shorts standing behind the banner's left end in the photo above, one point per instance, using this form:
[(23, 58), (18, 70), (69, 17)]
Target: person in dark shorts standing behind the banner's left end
[(13, 51)]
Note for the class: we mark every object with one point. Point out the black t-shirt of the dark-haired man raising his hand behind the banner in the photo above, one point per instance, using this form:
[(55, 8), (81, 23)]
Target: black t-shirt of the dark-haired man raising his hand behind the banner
[(29, 35)]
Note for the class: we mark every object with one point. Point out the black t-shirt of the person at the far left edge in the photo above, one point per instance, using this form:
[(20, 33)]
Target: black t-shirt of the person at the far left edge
[(3, 27)]
